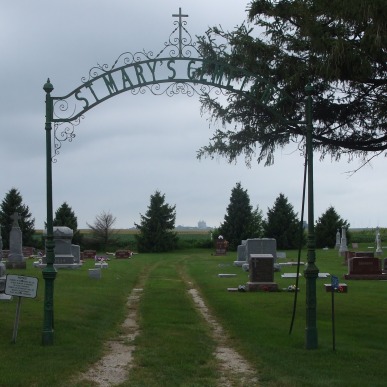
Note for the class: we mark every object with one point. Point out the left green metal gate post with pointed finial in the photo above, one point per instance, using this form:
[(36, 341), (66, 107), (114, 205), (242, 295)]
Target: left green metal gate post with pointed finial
[(49, 272)]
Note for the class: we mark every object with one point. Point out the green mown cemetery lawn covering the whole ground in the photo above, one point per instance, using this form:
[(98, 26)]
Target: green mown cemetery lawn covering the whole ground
[(174, 345)]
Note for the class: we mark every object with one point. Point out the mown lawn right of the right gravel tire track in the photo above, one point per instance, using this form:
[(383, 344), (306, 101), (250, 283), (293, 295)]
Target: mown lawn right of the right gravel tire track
[(258, 324)]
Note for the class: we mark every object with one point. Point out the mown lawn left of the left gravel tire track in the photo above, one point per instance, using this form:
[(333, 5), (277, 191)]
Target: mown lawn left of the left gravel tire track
[(87, 312)]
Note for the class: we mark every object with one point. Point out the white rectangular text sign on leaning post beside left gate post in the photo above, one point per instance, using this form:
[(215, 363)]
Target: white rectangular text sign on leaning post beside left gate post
[(20, 286)]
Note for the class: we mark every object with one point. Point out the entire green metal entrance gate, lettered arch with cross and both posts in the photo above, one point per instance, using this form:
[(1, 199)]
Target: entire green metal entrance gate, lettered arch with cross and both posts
[(178, 68)]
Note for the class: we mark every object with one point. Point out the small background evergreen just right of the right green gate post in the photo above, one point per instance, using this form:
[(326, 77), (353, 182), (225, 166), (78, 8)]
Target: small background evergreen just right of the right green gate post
[(326, 228)]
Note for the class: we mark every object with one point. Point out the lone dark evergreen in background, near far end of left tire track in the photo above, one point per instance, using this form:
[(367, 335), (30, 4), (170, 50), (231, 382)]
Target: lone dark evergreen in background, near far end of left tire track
[(156, 226)]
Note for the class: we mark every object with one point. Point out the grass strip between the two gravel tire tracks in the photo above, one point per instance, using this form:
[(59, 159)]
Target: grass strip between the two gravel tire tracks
[(174, 347)]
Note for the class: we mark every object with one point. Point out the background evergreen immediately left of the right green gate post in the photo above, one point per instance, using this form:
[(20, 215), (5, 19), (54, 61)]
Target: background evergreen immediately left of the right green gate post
[(282, 224)]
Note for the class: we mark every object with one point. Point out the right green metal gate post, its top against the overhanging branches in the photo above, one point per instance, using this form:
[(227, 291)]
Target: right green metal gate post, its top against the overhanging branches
[(311, 270)]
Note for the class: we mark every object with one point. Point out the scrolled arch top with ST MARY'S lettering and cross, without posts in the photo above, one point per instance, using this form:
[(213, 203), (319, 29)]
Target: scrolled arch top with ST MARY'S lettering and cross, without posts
[(177, 69)]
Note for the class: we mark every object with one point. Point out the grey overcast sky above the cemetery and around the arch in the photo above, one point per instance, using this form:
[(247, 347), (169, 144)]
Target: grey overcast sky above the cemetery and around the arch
[(132, 145)]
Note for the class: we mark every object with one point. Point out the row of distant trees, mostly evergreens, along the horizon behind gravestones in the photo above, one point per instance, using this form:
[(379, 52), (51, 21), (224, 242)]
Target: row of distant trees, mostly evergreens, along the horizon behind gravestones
[(156, 228)]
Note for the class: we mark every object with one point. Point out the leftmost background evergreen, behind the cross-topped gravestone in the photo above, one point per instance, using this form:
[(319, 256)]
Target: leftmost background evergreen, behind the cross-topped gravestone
[(13, 202)]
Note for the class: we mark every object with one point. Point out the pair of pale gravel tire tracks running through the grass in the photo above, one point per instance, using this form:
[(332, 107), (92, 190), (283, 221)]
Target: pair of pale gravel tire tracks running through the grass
[(114, 367)]
